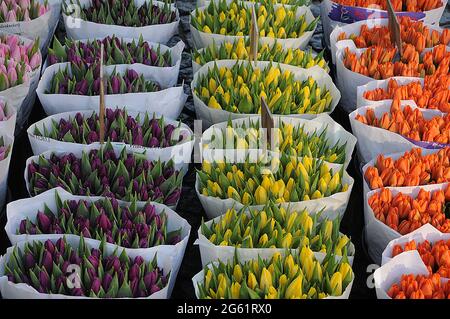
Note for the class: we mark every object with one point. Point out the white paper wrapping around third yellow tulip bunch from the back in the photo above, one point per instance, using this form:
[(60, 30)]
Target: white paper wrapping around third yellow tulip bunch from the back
[(211, 116)]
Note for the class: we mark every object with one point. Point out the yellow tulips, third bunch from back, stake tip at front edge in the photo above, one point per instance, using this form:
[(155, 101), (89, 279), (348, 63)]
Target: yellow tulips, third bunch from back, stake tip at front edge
[(238, 89)]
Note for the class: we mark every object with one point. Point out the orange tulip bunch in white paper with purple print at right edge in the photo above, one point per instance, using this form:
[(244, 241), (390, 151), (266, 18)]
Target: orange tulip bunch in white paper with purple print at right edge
[(388, 127)]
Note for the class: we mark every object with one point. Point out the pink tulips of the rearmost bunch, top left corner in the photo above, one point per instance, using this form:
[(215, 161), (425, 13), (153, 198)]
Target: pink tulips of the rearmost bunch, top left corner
[(22, 10)]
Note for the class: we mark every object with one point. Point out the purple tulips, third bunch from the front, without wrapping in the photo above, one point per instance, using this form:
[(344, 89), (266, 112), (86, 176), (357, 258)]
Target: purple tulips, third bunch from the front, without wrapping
[(103, 172)]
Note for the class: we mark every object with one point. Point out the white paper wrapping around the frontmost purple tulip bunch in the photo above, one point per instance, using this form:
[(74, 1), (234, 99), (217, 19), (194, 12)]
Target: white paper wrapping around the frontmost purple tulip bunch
[(11, 290)]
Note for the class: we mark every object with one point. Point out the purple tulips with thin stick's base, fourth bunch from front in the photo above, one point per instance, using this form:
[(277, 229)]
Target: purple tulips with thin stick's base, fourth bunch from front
[(119, 127)]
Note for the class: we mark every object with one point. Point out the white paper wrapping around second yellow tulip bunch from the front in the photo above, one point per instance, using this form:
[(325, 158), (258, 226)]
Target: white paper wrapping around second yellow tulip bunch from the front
[(210, 252)]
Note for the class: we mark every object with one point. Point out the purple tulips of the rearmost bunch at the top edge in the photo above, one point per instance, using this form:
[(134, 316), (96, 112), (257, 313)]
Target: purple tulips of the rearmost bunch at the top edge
[(125, 13)]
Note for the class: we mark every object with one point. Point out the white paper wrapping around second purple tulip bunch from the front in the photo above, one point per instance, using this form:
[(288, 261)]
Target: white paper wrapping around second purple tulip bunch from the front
[(29, 207)]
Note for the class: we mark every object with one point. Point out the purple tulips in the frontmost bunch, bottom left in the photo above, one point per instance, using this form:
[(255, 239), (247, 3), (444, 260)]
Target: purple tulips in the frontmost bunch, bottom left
[(44, 267)]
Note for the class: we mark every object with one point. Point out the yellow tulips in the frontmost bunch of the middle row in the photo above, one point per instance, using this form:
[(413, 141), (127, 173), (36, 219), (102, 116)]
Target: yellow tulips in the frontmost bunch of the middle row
[(294, 276)]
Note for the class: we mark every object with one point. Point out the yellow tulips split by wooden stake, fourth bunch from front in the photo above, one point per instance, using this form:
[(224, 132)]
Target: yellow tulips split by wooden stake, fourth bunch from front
[(291, 139)]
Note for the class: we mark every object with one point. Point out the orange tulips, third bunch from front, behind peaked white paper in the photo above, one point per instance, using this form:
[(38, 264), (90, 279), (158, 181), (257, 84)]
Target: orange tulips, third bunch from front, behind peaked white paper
[(405, 214)]
